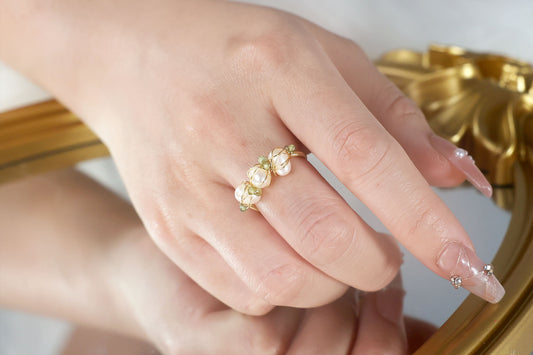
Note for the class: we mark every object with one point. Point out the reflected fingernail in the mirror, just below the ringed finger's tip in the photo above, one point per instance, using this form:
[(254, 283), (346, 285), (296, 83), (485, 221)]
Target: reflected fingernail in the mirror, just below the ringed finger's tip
[(389, 301)]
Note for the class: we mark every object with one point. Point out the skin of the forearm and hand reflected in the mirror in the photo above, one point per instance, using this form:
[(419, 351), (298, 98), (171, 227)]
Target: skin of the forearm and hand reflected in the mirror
[(92, 262)]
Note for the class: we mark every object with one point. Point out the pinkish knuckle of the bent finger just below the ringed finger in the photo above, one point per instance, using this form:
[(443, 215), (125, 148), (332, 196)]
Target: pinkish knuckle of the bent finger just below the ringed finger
[(282, 285)]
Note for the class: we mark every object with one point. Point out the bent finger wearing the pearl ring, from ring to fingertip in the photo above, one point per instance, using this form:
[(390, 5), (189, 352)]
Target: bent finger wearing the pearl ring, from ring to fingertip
[(320, 226)]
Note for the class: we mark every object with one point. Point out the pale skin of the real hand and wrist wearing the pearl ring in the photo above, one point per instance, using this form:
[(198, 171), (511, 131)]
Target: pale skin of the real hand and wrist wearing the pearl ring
[(187, 95)]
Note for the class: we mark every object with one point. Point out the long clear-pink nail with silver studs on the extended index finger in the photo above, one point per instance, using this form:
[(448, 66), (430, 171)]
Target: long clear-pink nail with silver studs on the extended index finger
[(463, 265)]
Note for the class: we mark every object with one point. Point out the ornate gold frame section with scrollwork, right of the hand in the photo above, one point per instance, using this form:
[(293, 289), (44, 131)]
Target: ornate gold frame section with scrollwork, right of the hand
[(484, 103)]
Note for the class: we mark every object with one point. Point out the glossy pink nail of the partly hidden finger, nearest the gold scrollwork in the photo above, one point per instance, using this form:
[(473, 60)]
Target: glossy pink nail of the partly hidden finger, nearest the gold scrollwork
[(462, 161)]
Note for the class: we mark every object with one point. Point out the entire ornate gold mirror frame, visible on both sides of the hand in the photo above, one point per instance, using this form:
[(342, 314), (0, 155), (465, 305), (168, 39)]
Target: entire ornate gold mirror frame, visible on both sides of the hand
[(482, 102)]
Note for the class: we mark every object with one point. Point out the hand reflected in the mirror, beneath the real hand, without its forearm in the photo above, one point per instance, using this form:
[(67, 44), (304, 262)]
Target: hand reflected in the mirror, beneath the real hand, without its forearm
[(180, 318)]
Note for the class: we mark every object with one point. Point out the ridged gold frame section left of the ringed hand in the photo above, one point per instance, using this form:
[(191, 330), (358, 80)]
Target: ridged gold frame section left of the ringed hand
[(43, 137)]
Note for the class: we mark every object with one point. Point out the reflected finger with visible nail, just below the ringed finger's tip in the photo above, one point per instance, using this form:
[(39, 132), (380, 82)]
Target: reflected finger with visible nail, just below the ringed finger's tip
[(381, 328)]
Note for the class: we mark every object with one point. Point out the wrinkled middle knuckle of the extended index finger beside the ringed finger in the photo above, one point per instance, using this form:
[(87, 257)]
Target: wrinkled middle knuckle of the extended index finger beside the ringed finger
[(361, 150)]
